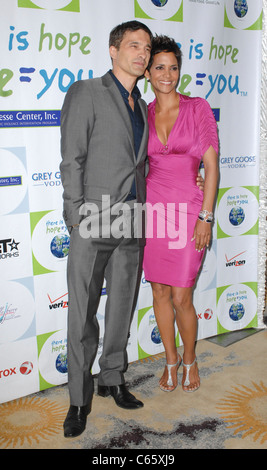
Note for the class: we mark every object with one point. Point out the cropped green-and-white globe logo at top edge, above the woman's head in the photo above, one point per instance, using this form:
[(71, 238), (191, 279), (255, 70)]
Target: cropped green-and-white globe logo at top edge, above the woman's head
[(171, 10)]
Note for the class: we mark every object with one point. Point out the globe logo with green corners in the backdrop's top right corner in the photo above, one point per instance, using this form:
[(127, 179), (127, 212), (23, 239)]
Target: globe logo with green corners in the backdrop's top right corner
[(243, 14)]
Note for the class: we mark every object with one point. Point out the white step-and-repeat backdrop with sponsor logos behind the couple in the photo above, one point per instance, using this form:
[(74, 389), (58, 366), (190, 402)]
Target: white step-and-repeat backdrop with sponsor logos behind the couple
[(46, 45)]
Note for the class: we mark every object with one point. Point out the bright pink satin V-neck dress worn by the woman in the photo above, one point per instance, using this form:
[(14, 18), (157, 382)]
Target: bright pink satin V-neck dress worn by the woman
[(173, 197)]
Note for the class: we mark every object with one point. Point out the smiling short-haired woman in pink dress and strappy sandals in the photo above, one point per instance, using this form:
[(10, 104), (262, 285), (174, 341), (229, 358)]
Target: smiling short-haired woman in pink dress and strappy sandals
[(182, 132)]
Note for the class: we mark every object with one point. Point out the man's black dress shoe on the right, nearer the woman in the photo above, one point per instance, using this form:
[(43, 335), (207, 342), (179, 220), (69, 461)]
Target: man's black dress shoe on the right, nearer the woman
[(121, 395)]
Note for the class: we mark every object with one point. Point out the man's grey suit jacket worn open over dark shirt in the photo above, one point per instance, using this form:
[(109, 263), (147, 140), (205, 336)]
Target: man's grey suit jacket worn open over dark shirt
[(97, 147)]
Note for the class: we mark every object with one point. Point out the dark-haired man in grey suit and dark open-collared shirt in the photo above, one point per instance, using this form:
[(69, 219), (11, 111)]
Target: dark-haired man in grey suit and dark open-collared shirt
[(104, 135)]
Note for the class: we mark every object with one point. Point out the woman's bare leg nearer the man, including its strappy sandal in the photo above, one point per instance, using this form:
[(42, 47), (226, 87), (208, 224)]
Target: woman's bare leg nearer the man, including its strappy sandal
[(164, 313)]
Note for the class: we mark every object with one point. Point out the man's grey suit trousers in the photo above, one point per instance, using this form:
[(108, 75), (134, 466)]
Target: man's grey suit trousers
[(119, 261)]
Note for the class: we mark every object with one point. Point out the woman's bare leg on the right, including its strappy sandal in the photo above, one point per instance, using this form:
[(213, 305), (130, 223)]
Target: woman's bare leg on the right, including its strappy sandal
[(187, 325)]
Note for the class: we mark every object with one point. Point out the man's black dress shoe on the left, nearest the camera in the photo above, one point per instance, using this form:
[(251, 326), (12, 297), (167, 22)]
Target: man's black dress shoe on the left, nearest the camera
[(75, 421)]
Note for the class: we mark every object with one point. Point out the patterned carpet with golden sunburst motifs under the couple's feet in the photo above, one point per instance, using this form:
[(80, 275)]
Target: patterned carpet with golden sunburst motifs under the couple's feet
[(229, 411)]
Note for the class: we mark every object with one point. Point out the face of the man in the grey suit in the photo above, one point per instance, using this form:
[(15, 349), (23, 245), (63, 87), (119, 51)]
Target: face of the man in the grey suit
[(131, 59)]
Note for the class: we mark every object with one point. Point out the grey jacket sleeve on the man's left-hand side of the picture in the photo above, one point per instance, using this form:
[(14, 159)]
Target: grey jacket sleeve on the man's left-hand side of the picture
[(76, 121)]
